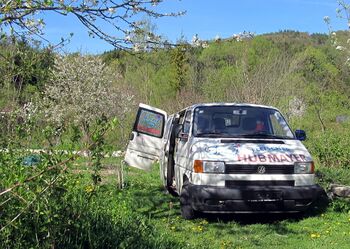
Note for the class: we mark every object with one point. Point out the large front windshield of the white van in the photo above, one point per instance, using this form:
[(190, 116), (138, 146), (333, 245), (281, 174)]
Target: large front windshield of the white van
[(240, 121)]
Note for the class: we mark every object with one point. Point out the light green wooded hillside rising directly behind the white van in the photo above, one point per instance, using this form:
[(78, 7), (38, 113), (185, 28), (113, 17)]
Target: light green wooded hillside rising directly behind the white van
[(301, 74)]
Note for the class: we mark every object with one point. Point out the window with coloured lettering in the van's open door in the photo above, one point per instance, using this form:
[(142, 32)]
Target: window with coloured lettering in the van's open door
[(149, 122)]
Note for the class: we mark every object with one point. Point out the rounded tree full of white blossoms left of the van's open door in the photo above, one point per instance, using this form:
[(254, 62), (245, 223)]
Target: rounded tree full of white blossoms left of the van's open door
[(82, 90)]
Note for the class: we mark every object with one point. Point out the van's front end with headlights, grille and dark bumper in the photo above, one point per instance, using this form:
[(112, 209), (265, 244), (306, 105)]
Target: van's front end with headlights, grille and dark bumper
[(218, 187)]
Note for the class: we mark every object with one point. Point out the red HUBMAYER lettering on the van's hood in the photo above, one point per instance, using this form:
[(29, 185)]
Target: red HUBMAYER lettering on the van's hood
[(271, 158)]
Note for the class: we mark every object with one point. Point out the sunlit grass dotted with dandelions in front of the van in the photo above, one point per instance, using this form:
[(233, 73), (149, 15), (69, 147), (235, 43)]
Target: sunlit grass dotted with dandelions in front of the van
[(316, 229)]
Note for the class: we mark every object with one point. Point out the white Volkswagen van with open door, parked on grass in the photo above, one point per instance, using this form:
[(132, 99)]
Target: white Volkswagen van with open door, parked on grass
[(226, 158)]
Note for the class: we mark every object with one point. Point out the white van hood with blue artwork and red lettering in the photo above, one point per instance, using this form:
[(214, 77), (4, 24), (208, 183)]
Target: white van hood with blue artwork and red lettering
[(250, 151)]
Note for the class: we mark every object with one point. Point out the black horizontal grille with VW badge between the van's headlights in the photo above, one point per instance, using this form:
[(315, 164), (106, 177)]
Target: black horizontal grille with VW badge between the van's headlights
[(254, 169)]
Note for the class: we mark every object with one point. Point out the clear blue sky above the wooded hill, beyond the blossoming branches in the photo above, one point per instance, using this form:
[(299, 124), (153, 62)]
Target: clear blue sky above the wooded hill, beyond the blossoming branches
[(209, 18)]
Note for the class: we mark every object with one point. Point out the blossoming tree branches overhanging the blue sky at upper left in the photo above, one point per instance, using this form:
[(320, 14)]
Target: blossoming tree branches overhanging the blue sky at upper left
[(111, 20)]
